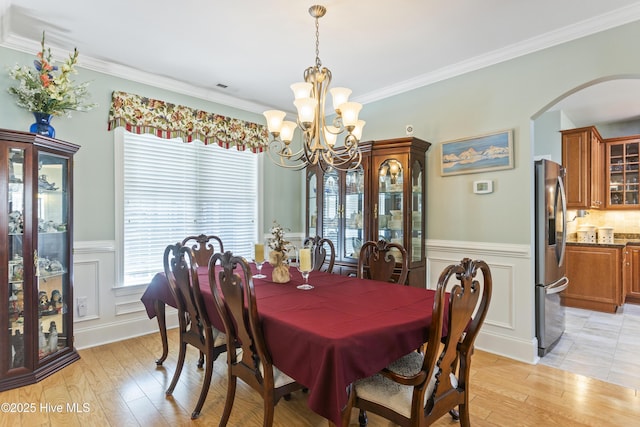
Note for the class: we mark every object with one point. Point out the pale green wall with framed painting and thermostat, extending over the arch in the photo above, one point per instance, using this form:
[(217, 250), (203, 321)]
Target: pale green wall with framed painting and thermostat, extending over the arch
[(503, 96)]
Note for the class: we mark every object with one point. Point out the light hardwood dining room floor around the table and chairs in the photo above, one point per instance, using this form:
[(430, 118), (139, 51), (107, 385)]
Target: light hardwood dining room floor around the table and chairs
[(119, 385)]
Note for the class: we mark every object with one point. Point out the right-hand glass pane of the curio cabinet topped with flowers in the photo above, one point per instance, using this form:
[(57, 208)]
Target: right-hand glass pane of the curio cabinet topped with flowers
[(52, 256)]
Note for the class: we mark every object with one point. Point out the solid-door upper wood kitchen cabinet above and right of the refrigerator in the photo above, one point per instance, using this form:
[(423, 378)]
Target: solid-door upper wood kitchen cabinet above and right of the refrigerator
[(583, 159)]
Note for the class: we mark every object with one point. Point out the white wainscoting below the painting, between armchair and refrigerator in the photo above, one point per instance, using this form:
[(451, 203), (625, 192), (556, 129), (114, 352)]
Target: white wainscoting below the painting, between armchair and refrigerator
[(509, 326)]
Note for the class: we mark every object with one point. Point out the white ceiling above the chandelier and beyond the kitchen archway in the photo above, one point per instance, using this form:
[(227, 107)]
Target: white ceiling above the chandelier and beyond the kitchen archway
[(259, 47)]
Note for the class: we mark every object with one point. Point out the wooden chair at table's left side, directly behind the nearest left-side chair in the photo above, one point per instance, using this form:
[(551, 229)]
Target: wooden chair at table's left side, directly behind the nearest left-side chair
[(195, 328)]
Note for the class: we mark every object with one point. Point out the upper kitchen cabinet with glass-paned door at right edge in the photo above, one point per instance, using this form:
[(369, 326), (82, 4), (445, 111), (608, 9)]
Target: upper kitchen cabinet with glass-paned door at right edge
[(622, 169)]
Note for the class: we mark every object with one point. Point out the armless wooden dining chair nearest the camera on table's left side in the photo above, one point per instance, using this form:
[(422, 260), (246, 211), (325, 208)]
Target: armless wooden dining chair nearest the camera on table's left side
[(231, 283)]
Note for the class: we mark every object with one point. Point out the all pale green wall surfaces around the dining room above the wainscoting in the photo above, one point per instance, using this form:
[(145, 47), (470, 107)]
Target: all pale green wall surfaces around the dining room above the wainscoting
[(503, 96)]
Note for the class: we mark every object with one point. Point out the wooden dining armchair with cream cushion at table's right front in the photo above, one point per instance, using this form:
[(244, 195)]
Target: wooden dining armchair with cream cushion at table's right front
[(419, 388)]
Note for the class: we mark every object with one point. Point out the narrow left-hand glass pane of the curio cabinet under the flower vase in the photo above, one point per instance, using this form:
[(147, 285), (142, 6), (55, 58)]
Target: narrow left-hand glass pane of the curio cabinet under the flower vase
[(15, 257)]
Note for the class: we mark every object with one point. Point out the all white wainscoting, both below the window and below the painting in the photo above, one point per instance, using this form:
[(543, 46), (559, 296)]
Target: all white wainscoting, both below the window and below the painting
[(115, 314)]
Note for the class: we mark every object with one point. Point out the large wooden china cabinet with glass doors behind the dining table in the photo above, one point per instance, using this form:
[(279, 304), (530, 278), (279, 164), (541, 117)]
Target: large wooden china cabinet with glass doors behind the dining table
[(381, 199)]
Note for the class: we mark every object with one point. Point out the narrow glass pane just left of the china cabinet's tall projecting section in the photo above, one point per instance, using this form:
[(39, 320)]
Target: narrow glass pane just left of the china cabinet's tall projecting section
[(353, 212)]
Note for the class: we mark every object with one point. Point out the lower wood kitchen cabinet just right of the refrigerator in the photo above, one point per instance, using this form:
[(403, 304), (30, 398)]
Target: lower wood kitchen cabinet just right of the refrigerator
[(595, 277)]
